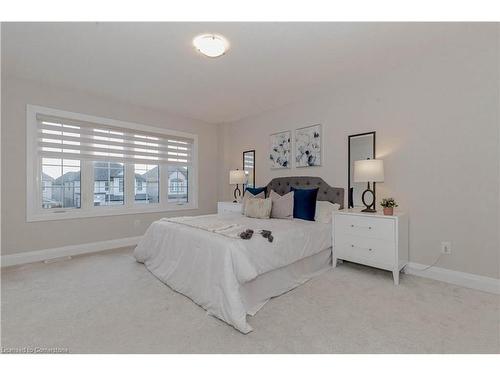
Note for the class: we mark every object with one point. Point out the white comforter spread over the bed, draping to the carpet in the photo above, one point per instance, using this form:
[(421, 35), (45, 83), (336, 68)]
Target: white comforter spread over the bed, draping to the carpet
[(209, 267)]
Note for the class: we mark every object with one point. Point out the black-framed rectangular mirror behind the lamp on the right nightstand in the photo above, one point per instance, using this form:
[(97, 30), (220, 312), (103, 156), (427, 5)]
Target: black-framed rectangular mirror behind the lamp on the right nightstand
[(360, 147)]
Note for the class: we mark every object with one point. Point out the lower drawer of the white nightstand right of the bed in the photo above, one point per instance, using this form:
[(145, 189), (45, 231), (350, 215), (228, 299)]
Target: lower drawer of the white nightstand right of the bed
[(378, 252)]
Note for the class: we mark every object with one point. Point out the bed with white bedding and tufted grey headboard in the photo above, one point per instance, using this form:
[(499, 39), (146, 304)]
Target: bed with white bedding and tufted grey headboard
[(203, 258)]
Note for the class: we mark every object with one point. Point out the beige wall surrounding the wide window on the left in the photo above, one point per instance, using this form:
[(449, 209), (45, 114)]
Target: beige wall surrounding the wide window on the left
[(20, 236)]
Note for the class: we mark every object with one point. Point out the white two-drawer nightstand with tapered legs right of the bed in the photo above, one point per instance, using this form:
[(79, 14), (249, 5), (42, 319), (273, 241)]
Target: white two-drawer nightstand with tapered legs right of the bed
[(371, 239)]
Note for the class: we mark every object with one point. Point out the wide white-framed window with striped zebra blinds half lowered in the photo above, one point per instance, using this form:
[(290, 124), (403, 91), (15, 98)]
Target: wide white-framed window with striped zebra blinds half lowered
[(83, 166)]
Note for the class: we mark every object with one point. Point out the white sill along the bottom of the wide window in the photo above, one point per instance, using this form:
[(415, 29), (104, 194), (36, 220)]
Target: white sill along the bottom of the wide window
[(78, 213)]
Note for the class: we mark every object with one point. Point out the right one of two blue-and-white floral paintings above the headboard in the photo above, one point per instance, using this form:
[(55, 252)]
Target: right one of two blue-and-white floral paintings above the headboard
[(308, 146)]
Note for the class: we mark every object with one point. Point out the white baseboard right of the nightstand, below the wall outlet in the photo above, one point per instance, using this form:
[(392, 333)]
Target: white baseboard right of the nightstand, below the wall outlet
[(468, 280)]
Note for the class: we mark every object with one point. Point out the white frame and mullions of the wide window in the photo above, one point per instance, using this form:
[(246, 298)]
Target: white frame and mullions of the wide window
[(34, 210)]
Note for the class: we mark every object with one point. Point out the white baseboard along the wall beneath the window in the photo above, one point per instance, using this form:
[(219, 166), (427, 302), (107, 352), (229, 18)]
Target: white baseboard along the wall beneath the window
[(41, 255)]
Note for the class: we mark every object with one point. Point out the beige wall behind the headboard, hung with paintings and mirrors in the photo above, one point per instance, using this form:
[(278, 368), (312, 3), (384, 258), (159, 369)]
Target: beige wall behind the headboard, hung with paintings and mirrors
[(437, 131)]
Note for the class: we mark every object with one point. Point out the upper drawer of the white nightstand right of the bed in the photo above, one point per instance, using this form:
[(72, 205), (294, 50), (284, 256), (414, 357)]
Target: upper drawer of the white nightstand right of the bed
[(360, 226)]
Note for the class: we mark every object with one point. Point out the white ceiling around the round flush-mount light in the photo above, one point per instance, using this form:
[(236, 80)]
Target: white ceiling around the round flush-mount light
[(268, 64)]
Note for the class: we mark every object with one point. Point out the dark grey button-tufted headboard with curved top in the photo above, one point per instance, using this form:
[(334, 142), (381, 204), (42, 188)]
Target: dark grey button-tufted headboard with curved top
[(282, 185)]
